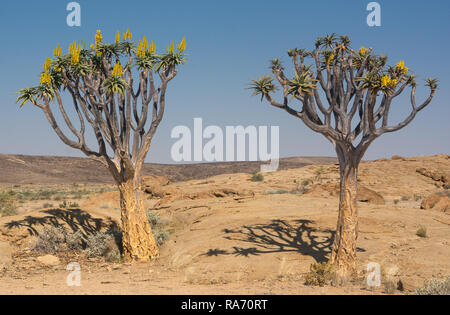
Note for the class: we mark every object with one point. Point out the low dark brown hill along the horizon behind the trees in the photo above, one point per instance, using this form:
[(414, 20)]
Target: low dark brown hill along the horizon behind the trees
[(27, 169)]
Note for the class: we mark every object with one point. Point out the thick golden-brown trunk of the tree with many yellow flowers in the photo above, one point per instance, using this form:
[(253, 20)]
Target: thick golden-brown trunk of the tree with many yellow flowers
[(137, 237)]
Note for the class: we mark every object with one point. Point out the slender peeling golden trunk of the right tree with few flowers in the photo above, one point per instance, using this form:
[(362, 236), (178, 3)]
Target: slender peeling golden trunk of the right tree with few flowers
[(343, 255)]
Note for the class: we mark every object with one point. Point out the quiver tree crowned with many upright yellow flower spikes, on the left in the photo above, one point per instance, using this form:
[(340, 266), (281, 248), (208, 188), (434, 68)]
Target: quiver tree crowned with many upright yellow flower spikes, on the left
[(118, 90)]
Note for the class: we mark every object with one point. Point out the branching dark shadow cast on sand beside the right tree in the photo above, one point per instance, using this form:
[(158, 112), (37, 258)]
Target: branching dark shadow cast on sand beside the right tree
[(280, 236)]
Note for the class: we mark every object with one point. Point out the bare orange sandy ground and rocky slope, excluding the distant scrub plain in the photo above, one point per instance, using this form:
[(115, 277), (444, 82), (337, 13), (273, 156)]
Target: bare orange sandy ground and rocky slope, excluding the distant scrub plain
[(230, 235)]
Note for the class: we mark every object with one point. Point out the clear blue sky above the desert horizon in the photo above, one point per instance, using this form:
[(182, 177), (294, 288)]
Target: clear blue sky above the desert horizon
[(229, 43)]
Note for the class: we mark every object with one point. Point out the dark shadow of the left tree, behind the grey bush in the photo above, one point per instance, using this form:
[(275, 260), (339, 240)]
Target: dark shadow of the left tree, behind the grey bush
[(68, 219)]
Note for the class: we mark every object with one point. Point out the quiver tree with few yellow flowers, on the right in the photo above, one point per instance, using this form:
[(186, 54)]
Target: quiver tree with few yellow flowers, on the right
[(346, 96)]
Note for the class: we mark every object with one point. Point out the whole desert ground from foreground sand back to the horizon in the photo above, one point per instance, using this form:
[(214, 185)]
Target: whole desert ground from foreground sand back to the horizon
[(229, 233)]
